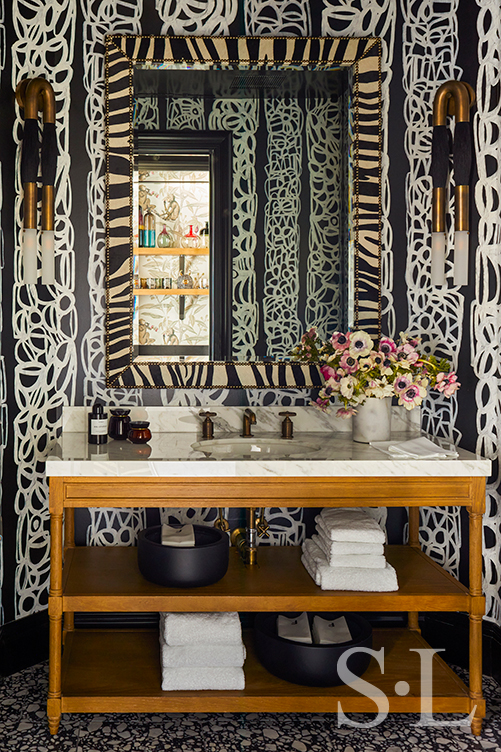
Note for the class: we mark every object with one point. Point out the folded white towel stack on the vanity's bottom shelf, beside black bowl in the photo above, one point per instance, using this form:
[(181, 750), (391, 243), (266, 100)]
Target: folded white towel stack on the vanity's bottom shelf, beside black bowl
[(201, 651)]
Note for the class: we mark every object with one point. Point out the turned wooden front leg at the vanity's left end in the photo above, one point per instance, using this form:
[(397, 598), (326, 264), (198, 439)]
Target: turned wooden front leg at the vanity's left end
[(55, 621)]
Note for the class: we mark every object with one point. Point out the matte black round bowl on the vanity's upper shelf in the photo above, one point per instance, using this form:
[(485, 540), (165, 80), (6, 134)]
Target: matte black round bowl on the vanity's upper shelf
[(174, 566)]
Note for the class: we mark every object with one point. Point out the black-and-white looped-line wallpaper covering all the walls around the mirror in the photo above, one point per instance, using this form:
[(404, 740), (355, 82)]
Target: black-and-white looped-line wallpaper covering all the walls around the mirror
[(57, 333)]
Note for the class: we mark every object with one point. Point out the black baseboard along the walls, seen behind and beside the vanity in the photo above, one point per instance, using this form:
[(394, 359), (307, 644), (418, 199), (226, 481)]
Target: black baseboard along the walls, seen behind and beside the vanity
[(25, 642)]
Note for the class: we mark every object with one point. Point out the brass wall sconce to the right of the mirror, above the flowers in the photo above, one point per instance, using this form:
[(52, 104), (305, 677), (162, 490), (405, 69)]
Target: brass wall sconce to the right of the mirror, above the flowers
[(453, 98)]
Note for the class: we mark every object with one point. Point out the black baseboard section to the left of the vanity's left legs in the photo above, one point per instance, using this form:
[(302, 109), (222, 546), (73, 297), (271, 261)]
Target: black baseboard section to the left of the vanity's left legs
[(24, 643)]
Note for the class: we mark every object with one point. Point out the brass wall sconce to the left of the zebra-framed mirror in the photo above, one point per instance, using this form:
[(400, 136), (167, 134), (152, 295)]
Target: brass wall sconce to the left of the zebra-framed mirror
[(34, 95)]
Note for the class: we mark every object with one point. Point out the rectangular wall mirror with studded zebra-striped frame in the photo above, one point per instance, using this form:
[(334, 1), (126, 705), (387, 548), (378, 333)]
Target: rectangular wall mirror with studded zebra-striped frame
[(286, 132)]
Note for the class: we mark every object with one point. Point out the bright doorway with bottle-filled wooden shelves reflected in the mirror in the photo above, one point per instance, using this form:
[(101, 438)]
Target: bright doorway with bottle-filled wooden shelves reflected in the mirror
[(171, 257)]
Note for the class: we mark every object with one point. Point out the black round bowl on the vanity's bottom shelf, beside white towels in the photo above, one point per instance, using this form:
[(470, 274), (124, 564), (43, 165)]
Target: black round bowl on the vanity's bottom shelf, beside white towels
[(310, 665)]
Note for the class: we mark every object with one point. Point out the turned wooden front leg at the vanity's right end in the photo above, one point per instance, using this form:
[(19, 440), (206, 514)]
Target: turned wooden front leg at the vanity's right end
[(477, 605)]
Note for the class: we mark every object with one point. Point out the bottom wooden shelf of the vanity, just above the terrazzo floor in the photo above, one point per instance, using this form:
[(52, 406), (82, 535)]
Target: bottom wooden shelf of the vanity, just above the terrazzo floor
[(119, 671)]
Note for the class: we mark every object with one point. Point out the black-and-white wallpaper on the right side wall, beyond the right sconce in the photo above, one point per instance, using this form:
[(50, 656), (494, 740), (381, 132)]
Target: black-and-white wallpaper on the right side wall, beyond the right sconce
[(486, 310)]
